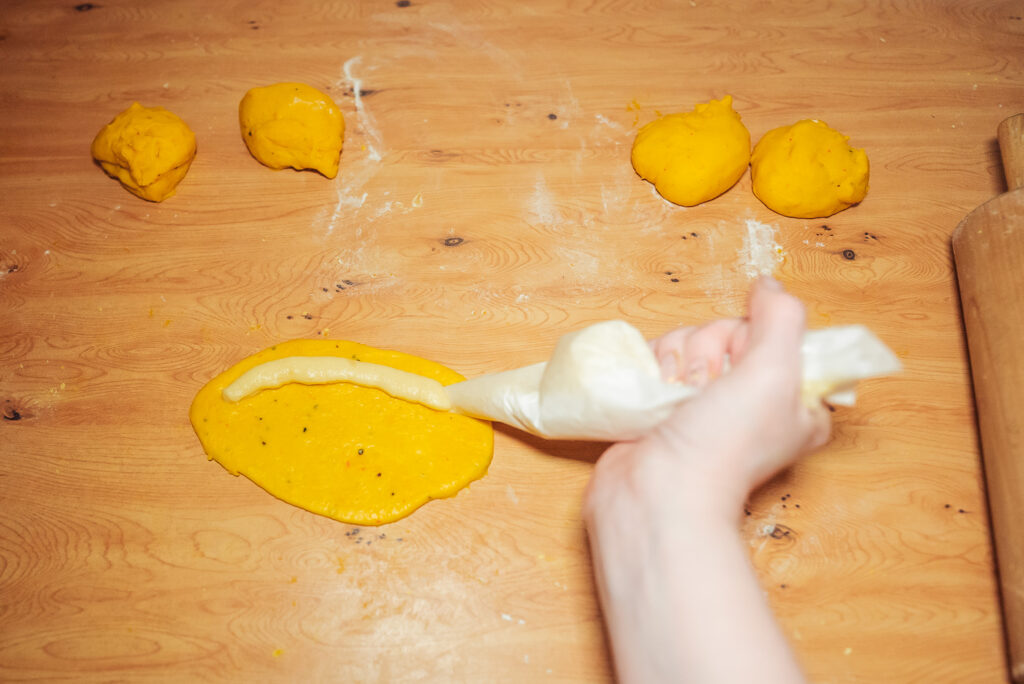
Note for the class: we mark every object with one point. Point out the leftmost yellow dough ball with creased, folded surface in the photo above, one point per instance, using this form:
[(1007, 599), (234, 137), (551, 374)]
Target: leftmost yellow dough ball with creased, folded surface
[(148, 149)]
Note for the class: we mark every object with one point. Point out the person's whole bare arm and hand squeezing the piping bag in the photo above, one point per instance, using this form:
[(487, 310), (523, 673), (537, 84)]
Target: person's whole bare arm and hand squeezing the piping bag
[(679, 596)]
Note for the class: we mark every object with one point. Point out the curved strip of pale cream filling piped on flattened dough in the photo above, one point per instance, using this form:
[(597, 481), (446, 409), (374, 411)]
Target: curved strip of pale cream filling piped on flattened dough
[(324, 370)]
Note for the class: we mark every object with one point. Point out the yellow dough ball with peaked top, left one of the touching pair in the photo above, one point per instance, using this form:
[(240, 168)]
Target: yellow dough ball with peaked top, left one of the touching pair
[(696, 156)]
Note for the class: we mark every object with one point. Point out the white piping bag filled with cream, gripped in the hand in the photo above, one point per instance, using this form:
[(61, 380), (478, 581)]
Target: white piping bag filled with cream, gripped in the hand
[(604, 382)]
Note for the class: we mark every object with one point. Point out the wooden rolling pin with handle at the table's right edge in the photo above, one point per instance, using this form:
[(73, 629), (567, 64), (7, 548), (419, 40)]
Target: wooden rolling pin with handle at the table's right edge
[(989, 248)]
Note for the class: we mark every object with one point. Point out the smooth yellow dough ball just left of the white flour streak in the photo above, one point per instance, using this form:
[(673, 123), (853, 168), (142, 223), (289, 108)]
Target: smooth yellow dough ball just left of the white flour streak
[(293, 125)]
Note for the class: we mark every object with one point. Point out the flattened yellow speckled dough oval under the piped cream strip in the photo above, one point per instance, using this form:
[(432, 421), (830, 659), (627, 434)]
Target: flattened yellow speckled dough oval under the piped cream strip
[(351, 453)]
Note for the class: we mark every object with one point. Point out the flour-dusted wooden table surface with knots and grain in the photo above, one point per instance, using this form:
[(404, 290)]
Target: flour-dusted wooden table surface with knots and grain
[(486, 206)]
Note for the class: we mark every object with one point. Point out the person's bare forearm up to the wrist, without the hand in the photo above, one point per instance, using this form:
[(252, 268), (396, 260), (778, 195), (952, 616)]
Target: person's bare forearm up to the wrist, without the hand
[(684, 604)]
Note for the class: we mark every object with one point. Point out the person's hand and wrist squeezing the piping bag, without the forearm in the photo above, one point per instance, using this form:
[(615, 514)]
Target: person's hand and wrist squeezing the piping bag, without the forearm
[(749, 421)]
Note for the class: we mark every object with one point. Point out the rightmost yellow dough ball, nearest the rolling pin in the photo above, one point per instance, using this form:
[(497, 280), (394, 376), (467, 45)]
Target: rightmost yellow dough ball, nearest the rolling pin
[(808, 170)]
